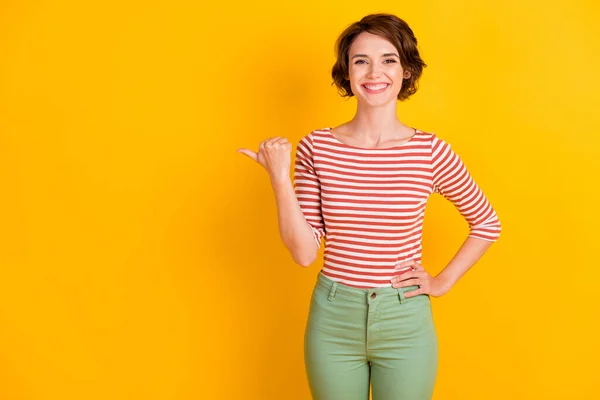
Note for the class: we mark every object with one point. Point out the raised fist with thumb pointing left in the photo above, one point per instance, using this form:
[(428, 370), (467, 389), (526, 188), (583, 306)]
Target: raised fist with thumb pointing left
[(274, 154)]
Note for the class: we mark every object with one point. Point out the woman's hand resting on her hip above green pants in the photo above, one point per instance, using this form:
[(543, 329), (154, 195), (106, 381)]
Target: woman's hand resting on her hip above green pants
[(418, 276)]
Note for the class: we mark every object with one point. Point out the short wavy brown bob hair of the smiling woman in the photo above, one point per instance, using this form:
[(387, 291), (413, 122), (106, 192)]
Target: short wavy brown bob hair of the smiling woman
[(391, 28)]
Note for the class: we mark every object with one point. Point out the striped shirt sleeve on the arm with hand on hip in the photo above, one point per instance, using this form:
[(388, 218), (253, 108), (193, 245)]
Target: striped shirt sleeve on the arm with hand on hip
[(452, 180)]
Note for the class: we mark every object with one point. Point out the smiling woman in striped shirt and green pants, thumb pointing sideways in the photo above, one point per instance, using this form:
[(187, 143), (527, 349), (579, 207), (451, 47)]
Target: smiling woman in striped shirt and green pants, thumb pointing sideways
[(363, 186)]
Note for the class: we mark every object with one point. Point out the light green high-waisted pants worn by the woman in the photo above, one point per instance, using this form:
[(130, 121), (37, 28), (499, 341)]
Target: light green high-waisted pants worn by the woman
[(356, 337)]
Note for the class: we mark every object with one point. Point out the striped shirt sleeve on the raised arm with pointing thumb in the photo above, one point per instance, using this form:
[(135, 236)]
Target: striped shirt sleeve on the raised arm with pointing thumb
[(308, 187)]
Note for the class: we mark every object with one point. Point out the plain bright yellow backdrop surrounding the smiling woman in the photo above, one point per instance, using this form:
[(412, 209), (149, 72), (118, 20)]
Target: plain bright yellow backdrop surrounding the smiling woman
[(139, 253)]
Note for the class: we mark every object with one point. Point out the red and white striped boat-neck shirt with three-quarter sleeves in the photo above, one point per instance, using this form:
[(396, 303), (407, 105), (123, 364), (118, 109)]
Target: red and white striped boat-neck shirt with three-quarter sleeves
[(369, 204)]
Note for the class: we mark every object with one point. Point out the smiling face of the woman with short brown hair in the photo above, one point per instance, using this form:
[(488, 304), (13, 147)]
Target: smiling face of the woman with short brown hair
[(374, 68)]
